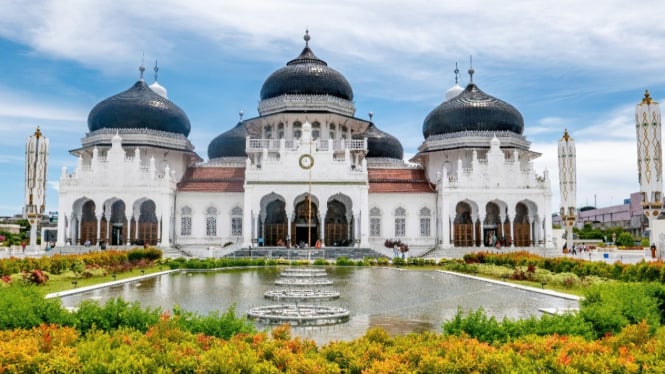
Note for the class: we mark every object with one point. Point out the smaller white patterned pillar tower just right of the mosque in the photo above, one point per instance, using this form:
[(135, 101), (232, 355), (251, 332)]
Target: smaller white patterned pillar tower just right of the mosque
[(568, 185)]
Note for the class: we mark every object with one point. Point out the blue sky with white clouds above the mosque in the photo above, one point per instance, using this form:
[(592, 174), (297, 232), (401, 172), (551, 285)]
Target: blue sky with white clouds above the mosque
[(581, 66)]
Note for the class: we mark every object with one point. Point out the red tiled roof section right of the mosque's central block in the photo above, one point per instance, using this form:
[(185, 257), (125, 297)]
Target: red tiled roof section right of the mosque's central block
[(398, 180)]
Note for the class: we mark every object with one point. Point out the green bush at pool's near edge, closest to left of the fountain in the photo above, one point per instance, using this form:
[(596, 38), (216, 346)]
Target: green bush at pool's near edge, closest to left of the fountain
[(223, 325)]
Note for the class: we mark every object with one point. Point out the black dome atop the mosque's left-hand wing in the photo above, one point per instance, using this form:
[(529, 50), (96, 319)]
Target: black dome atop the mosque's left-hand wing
[(139, 107)]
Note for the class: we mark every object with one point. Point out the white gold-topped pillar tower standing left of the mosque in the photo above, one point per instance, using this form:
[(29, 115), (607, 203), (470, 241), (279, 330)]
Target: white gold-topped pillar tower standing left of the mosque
[(36, 157)]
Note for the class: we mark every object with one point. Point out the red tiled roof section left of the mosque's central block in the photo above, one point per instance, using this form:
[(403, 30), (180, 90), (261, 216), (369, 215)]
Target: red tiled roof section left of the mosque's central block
[(213, 179)]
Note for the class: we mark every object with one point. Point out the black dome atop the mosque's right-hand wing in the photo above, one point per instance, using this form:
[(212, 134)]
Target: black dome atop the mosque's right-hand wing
[(473, 109)]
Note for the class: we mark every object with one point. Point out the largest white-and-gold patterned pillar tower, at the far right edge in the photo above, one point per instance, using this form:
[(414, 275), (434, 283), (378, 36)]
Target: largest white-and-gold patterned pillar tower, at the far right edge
[(649, 159)]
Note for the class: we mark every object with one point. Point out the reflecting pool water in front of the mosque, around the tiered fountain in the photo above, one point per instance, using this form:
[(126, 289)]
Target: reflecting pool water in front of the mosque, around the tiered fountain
[(400, 301)]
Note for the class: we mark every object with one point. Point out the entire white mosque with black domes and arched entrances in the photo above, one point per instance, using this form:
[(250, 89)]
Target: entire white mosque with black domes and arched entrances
[(305, 171)]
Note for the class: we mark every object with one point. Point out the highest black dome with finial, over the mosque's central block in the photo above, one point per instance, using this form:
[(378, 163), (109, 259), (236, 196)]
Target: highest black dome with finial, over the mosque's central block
[(306, 75)]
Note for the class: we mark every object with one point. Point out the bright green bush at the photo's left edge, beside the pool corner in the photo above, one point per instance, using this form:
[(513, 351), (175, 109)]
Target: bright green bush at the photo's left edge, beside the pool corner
[(23, 307)]
